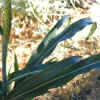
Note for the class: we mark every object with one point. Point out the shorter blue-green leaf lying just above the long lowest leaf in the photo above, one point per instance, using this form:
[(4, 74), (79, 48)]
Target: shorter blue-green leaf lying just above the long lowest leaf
[(70, 61)]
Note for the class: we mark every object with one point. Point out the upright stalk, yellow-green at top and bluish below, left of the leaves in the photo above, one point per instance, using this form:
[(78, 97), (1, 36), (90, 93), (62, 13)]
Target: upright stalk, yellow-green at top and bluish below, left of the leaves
[(5, 40)]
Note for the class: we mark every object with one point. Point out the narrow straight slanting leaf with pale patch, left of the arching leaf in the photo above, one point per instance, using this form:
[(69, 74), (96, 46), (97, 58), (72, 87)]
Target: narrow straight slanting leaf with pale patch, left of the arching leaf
[(50, 36)]
